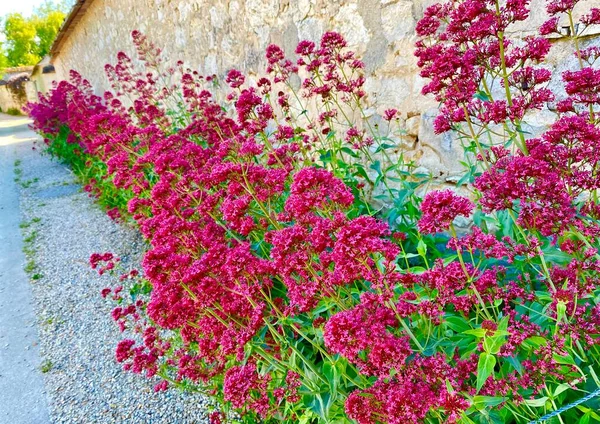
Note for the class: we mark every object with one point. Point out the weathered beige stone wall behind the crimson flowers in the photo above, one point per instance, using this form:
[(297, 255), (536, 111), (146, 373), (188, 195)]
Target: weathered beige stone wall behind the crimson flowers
[(217, 35)]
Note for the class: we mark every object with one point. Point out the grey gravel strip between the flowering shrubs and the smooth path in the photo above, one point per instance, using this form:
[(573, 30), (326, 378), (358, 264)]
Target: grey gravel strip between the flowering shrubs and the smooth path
[(77, 336)]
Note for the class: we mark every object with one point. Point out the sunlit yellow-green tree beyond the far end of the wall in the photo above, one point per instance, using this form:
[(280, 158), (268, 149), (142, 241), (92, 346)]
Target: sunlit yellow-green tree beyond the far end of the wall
[(28, 39)]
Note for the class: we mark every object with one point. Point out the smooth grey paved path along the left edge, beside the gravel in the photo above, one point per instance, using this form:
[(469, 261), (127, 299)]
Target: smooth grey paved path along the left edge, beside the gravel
[(22, 391)]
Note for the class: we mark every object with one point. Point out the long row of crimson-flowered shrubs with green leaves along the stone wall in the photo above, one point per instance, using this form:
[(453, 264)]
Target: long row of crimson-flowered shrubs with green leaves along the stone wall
[(271, 282)]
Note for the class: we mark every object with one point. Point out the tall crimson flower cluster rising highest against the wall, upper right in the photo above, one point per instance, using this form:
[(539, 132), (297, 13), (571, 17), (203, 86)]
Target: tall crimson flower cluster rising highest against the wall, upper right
[(463, 43)]
